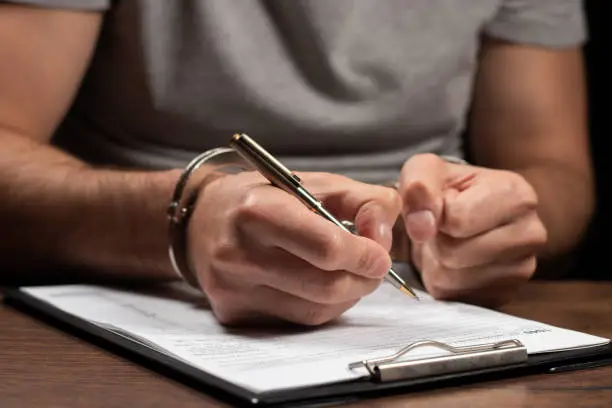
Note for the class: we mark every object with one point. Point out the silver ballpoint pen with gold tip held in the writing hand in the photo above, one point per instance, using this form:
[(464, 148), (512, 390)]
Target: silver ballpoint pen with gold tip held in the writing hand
[(283, 178)]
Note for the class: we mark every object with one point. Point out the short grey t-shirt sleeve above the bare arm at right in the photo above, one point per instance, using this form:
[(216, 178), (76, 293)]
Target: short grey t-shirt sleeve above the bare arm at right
[(548, 23)]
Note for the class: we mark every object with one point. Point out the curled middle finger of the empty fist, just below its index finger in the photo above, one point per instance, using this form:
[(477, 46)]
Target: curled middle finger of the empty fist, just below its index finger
[(512, 241)]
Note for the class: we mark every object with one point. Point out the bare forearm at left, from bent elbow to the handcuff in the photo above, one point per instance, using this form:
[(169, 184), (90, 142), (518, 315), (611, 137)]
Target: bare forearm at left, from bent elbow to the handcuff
[(58, 214)]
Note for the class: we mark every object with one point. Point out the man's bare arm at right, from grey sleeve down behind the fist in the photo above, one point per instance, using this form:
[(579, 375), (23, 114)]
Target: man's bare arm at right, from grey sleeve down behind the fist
[(529, 116)]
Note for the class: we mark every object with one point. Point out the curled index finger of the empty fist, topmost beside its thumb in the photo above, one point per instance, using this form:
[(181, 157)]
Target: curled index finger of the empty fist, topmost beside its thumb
[(493, 200)]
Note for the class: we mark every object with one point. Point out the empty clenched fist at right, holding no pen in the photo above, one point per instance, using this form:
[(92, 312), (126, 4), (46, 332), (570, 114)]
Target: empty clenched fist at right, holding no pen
[(474, 232)]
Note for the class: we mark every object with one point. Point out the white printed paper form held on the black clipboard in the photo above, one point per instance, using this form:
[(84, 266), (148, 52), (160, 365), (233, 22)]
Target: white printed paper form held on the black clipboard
[(266, 359)]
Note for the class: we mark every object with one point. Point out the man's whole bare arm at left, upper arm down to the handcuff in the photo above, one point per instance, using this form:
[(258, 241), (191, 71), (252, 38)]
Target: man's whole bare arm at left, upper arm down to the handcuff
[(56, 212)]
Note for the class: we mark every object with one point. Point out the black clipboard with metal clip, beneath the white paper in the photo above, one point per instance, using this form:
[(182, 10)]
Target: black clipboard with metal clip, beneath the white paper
[(388, 375)]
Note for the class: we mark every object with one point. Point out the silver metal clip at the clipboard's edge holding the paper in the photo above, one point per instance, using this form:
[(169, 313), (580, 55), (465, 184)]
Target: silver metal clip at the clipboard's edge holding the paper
[(460, 359)]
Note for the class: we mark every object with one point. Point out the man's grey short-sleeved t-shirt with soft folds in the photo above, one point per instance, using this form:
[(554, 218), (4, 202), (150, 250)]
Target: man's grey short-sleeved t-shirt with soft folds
[(349, 86)]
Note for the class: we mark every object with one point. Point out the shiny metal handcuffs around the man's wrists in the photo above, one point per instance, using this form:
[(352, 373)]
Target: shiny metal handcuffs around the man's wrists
[(221, 159)]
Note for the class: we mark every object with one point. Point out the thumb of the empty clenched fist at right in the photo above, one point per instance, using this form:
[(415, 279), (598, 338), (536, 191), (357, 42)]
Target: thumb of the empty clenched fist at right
[(421, 187)]
